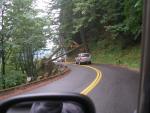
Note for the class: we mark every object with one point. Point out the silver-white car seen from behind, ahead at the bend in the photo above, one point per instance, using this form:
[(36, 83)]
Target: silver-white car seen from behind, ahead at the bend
[(83, 58)]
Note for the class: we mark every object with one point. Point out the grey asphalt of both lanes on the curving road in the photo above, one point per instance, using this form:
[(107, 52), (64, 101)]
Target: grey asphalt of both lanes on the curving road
[(115, 92)]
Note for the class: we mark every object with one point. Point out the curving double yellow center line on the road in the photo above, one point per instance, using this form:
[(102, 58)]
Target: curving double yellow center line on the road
[(91, 86)]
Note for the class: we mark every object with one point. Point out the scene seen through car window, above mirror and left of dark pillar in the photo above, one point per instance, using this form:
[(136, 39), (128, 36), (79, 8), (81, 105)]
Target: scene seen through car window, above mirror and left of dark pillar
[(43, 40)]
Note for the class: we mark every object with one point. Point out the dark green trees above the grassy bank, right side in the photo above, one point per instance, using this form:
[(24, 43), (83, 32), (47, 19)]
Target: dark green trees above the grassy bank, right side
[(121, 18)]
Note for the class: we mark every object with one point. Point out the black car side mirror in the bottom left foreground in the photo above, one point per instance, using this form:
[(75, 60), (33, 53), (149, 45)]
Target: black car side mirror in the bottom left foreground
[(48, 103)]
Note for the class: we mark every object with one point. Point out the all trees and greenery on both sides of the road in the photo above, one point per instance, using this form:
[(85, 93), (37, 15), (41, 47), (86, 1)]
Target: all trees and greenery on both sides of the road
[(109, 29)]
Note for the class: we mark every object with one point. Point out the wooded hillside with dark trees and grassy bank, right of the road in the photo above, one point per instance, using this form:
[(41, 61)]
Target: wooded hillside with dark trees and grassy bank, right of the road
[(109, 29)]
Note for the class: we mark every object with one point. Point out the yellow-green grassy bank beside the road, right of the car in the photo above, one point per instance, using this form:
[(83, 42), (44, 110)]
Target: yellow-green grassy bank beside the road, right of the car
[(105, 53)]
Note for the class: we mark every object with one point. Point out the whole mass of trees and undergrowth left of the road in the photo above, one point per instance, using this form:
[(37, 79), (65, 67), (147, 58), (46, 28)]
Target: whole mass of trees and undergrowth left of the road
[(23, 34)]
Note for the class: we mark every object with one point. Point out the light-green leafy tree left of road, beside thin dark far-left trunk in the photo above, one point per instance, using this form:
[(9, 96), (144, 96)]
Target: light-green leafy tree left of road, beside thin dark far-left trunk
[(27, 35)]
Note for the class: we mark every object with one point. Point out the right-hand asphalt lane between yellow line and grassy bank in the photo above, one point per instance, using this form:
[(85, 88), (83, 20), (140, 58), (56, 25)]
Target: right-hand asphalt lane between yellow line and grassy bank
[(117, 91)]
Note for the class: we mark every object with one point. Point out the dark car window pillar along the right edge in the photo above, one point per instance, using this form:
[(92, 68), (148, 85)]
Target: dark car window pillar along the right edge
[(144, 93)]
